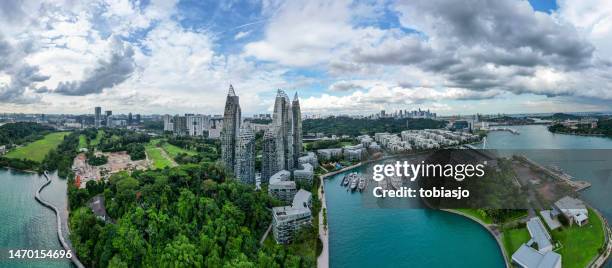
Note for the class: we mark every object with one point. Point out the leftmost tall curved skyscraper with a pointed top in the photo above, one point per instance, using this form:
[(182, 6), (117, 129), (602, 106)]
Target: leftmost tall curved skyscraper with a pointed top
[(230, 130)]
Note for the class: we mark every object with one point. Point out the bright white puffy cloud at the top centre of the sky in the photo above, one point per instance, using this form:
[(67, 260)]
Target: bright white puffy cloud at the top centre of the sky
[(303, 33)]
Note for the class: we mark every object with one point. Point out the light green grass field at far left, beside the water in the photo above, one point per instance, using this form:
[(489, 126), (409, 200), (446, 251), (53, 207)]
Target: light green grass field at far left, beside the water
[(36, 151)]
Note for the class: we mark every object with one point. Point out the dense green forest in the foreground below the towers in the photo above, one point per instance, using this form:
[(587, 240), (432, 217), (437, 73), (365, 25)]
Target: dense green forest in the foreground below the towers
[(187, 216)]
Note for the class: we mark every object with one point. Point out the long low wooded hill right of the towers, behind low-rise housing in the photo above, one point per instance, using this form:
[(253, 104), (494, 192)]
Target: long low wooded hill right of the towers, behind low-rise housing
[(359, 126)]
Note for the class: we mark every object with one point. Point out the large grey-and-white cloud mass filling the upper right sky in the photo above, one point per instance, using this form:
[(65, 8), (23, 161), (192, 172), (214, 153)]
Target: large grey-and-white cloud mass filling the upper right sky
[(486, 46)]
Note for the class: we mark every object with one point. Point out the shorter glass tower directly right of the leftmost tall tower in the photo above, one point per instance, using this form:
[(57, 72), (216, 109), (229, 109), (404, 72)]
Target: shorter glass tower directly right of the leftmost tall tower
[(244, 168)]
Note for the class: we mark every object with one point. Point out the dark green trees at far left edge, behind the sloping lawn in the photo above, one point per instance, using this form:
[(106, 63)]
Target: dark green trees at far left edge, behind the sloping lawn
[(22, 132)]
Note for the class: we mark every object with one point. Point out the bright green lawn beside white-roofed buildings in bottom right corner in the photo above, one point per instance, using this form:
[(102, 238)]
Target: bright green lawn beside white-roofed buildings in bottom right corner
[(580, 244)]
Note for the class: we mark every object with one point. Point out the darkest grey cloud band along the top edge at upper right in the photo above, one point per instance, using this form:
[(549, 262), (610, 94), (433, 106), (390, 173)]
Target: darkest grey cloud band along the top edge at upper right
[(503, 24)]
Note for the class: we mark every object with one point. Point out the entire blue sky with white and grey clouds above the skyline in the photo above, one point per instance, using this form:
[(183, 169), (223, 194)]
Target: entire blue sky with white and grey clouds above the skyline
[(454, 57)]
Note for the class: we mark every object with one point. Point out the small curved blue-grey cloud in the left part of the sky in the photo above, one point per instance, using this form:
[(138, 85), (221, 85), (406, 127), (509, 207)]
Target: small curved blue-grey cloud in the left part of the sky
[(108, 73)]
